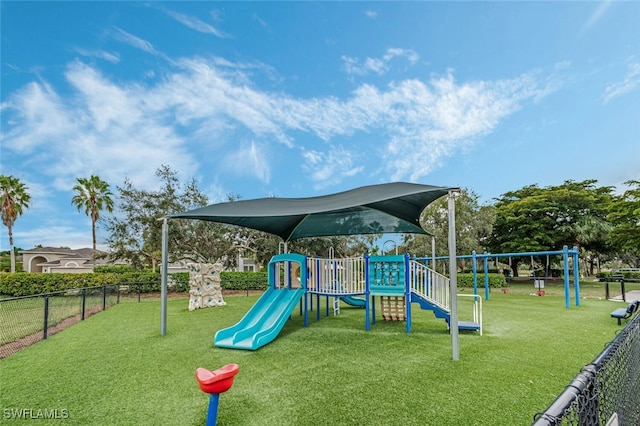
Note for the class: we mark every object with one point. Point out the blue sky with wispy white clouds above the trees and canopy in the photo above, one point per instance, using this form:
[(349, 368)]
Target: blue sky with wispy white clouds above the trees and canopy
[(297, 99)]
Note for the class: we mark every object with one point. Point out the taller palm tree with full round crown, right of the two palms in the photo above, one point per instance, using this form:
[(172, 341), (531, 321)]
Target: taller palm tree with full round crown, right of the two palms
[(93, 195)]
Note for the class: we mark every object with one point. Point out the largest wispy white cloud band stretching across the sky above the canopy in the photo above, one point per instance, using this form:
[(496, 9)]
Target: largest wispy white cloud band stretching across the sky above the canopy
[(120, 129)]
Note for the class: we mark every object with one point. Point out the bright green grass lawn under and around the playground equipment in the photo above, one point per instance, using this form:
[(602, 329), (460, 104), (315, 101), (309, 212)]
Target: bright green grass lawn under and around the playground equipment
[(115, 368)]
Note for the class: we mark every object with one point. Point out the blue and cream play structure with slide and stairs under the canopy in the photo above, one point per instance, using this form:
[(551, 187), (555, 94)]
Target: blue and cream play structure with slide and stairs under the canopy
[(397, 281)]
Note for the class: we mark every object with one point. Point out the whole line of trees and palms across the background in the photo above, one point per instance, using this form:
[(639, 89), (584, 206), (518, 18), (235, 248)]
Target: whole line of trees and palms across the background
[(605, 226)]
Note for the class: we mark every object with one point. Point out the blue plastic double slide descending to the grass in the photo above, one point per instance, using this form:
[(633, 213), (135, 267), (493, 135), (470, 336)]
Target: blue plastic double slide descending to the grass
[(263, 322)]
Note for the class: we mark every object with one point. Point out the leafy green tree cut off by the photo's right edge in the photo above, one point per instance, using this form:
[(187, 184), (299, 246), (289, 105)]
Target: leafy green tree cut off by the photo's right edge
[(625, 217)]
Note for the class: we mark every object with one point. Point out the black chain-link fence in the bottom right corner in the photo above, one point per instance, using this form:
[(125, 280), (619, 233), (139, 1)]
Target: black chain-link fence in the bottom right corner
[(605, 392)]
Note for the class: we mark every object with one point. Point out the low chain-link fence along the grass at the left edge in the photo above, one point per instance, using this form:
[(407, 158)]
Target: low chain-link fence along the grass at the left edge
[(26, 320)]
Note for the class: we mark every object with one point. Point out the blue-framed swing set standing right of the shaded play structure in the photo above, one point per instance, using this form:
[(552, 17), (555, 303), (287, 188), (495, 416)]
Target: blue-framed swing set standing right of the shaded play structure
[(566, 253)]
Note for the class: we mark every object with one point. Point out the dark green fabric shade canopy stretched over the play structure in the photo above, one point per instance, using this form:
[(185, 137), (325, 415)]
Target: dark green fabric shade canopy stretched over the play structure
[(375, 209)]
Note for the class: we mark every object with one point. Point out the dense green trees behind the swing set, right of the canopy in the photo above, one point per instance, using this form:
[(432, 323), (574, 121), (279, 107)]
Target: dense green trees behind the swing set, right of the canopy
[(605, 227)]
